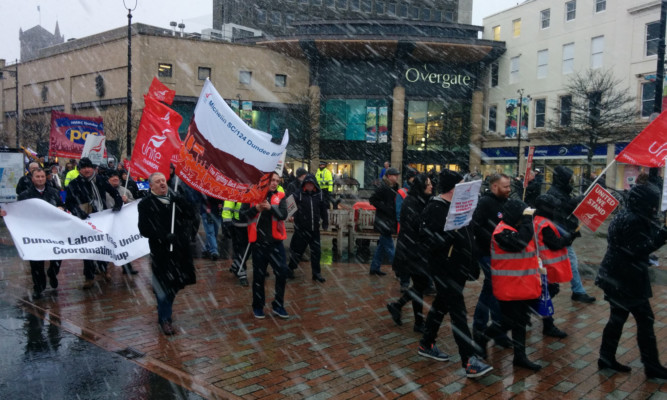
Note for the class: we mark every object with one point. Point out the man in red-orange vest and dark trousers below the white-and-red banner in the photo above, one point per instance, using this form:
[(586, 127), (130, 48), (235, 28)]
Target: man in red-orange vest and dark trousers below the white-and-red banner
[(266, 232)]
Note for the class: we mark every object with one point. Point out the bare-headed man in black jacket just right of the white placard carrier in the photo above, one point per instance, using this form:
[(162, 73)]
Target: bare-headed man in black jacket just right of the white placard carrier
[(487, 215)]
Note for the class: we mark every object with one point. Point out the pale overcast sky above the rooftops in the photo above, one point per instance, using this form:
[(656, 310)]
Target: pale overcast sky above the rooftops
[(79, 18)]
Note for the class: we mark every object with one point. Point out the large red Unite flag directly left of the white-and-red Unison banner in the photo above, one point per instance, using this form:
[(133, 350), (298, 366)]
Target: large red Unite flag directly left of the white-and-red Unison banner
[(157, 141)]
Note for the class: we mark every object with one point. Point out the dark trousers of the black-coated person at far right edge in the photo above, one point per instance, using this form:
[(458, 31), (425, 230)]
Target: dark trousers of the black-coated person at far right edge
[(611, 335)]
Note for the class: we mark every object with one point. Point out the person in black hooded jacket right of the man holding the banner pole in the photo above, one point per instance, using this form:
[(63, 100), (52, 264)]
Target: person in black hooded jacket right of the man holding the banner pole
[(311, 208)]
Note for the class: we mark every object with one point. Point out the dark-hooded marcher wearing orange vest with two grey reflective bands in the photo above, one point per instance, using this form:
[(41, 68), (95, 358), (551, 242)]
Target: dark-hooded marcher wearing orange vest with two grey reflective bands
[(515, 277)]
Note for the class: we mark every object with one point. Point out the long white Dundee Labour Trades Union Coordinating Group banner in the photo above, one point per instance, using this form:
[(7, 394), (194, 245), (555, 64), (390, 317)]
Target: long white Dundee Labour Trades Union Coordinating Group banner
[(43, 232)]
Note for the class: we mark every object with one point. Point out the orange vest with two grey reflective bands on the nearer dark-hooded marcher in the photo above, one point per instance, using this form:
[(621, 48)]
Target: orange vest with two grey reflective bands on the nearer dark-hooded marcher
[(514, 275)]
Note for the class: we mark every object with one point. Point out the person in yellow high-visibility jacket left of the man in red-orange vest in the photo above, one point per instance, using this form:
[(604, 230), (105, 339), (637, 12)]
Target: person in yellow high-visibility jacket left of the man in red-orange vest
[(238, 230)]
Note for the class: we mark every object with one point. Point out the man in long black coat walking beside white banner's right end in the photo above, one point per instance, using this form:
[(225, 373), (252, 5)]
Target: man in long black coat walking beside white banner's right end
[(171, 255)]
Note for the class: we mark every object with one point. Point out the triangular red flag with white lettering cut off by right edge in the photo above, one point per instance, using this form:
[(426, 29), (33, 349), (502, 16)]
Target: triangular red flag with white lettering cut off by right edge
[(649, 147)]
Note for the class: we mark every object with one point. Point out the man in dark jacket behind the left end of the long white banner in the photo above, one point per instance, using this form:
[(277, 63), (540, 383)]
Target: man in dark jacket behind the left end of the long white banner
[(40, 190)]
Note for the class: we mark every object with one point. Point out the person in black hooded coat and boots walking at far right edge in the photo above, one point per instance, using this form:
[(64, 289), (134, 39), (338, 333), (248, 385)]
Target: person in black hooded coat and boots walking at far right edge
[(633, 236)]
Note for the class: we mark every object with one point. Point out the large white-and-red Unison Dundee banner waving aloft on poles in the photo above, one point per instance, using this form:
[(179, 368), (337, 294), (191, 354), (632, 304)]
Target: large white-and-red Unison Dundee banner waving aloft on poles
[(223, 157)]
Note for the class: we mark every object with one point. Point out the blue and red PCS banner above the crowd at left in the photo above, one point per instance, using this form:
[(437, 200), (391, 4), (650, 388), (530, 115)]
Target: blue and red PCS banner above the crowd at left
[(69, 133)]
